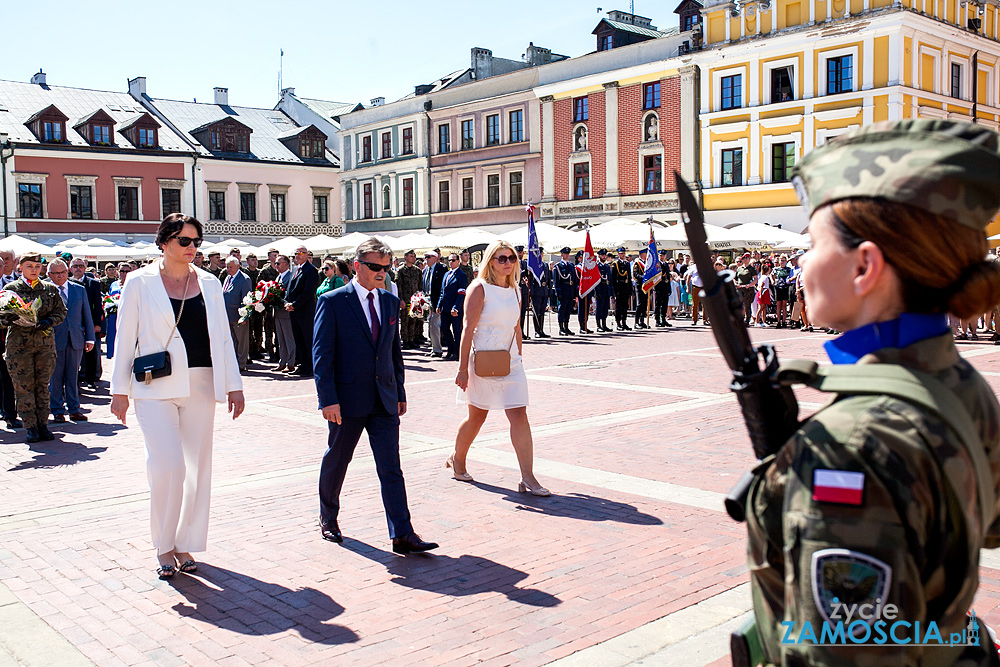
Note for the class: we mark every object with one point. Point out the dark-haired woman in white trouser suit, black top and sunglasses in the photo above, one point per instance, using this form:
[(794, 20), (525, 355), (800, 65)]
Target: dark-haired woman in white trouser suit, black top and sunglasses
[(173, 306)]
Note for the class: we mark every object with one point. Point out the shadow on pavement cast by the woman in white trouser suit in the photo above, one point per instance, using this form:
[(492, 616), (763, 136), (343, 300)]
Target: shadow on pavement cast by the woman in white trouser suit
[(223, 599)]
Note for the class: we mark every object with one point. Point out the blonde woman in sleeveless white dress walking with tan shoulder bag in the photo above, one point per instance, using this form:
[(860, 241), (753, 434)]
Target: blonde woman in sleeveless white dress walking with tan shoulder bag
[(492, 315)]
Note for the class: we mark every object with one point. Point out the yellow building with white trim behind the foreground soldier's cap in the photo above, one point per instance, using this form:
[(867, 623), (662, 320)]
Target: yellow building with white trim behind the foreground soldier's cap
[(781, 77)]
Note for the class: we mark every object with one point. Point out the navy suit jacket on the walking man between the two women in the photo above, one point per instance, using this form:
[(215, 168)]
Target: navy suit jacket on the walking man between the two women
[(350, 368)]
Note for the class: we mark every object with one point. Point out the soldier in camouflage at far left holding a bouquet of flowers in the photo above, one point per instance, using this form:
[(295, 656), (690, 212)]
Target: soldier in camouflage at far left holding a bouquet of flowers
[(31, 351)]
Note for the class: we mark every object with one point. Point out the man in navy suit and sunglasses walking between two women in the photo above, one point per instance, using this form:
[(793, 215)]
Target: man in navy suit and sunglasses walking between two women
[(358, 368)]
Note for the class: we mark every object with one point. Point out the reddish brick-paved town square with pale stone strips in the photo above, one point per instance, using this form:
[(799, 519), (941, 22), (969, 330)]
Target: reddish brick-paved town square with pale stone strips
[(632, 560)]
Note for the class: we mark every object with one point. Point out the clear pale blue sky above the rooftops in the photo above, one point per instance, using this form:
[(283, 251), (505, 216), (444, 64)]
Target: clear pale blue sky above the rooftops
[(342, 51)]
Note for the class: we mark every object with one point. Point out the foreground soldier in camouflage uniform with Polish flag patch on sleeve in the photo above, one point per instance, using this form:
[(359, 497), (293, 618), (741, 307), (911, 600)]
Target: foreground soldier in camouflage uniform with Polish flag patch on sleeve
[(876, 499)]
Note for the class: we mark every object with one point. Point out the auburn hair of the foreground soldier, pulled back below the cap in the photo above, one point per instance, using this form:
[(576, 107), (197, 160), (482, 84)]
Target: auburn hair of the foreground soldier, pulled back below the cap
[(941, 264)]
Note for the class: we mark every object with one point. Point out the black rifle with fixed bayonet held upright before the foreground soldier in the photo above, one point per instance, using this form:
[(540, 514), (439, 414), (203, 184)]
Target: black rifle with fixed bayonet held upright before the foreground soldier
[(770, 411)]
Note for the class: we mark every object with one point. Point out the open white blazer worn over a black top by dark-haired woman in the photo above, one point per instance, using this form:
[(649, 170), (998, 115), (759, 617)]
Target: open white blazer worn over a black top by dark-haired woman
[(146, 316)]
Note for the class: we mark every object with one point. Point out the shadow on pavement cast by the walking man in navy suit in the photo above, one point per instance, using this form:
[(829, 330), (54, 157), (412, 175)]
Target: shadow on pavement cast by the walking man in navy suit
[(447, 575)]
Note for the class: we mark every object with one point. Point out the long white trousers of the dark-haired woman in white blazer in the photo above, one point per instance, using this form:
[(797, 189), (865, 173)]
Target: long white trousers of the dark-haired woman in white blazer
[(178, 435)]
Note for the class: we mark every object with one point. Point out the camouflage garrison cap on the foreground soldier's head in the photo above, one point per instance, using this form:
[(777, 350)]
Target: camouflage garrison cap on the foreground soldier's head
[(944, 167)]
